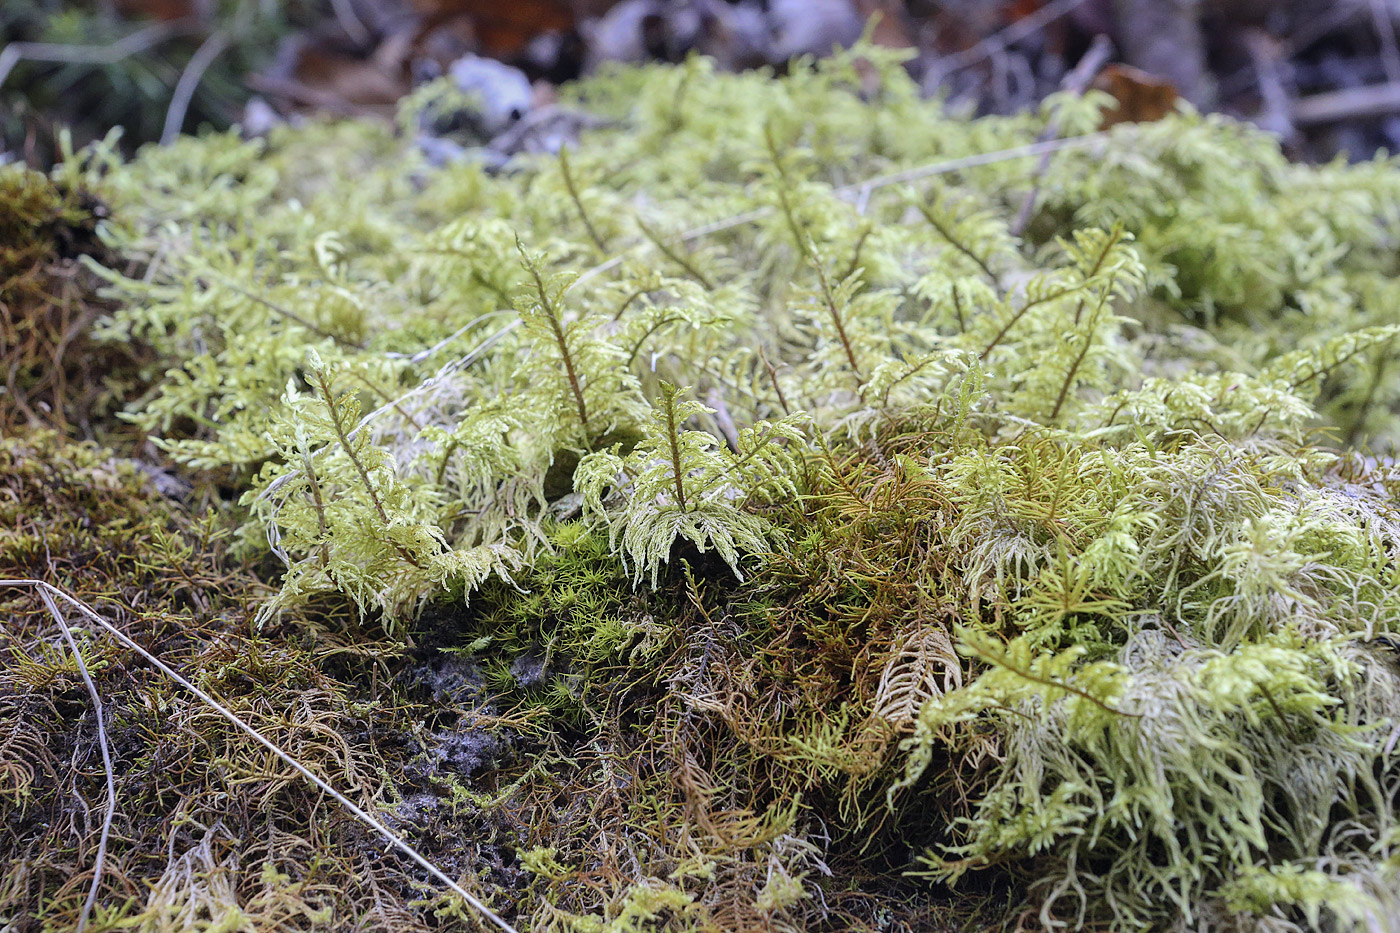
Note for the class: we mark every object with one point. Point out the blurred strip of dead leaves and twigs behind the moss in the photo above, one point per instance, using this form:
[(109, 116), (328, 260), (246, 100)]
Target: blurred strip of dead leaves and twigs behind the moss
[(1322, 75)]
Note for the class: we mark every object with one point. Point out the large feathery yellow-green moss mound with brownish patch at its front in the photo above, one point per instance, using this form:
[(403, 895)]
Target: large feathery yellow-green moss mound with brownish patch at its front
[(1034, 558)]
